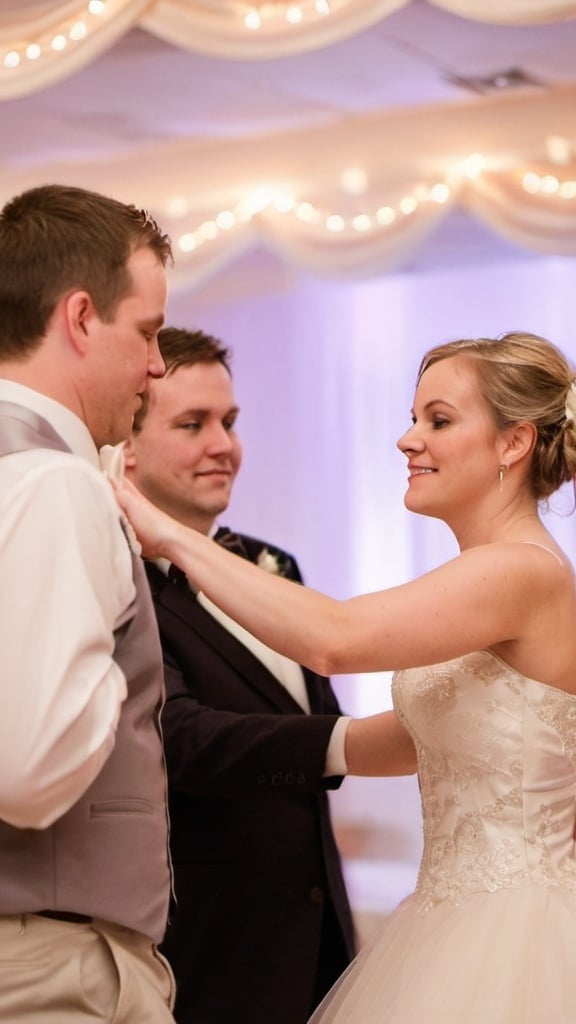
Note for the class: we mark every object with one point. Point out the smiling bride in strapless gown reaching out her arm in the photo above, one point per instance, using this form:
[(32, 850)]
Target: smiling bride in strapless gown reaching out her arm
[(484, 653)]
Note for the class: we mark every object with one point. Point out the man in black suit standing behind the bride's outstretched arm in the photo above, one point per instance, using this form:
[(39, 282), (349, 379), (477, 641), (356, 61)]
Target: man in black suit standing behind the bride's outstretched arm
[(262, 925)]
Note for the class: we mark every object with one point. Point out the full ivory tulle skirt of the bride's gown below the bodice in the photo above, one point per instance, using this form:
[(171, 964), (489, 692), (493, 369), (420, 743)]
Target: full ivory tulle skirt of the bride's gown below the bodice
[(503, 958)]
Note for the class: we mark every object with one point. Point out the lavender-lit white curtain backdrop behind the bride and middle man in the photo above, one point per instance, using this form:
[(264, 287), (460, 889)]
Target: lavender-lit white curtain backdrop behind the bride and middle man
[(324, 374)]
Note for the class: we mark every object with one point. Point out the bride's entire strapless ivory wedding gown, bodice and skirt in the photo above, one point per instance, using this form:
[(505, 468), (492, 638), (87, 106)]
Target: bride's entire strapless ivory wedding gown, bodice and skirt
[(489, 935)]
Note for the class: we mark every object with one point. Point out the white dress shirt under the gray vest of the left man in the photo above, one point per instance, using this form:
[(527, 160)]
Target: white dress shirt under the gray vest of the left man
[(67, 584)]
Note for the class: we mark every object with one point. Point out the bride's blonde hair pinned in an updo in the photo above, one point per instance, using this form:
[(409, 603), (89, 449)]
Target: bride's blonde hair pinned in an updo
[(526, 379)]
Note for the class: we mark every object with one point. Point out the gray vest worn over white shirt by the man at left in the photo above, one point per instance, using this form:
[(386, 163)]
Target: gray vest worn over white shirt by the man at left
[(108, 857)]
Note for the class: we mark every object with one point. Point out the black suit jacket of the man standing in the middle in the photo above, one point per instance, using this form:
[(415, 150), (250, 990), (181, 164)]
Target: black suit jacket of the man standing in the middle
[(257, 869)]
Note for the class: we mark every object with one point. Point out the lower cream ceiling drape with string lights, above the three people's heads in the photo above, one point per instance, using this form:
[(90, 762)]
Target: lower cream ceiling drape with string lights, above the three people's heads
[(420, 165)]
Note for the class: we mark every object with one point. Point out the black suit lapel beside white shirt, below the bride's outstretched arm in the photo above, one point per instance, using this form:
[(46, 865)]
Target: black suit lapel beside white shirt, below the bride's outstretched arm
[(181, 603)]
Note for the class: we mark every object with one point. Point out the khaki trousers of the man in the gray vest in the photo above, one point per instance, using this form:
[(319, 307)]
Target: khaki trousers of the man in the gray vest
[(56, 972)]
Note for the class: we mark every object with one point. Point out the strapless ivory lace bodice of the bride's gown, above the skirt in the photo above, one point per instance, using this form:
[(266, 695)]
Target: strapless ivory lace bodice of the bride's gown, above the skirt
[(498, 771)]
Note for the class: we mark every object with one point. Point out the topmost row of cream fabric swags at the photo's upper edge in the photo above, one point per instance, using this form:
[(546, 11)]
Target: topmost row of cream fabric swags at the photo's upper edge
[(214, 27)]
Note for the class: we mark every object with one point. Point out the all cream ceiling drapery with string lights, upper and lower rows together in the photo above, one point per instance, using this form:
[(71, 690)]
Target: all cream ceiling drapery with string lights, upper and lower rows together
[(508, 158)]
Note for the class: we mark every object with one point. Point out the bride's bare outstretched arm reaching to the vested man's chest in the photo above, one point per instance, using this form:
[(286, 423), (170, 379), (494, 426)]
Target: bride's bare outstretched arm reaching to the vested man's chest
[(484, 596)]
